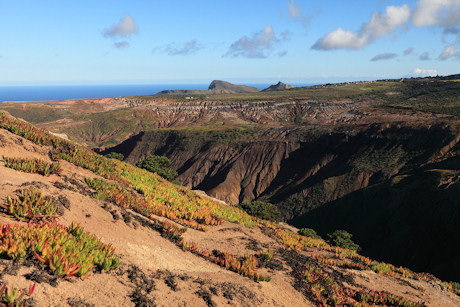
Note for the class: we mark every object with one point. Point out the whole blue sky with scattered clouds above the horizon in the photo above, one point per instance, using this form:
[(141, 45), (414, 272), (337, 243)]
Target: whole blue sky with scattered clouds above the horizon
[(250, 41)]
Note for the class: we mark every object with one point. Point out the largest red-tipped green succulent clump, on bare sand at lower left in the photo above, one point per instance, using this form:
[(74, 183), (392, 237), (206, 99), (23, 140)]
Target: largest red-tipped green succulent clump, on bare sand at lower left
[(66, 251)]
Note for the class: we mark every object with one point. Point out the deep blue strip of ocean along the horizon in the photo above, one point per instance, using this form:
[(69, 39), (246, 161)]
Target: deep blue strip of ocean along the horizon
[(62, 92)]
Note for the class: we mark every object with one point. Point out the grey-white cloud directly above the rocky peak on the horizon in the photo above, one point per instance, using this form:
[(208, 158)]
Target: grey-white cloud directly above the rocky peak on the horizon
[(255, 46)]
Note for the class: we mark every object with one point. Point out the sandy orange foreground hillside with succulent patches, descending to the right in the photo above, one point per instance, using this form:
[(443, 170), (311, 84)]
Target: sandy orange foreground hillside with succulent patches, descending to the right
[(161, 265)]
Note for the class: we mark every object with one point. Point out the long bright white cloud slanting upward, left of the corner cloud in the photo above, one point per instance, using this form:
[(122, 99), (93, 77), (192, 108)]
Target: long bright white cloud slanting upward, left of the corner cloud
[(379, 26)]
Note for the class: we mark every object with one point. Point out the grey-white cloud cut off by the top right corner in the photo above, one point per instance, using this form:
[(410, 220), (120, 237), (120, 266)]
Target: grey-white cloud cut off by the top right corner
[(437, 12)]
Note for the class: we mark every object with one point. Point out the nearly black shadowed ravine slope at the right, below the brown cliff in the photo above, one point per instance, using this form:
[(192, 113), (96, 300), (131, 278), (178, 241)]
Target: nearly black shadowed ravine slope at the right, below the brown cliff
[(414, 218)]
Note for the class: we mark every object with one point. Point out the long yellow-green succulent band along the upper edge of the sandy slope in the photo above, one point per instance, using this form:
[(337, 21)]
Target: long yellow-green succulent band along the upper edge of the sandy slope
[(161, 196)]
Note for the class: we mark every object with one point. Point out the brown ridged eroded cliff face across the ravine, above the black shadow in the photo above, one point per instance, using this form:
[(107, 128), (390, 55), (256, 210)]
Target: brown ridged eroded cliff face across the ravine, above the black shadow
[(296, 169)]
